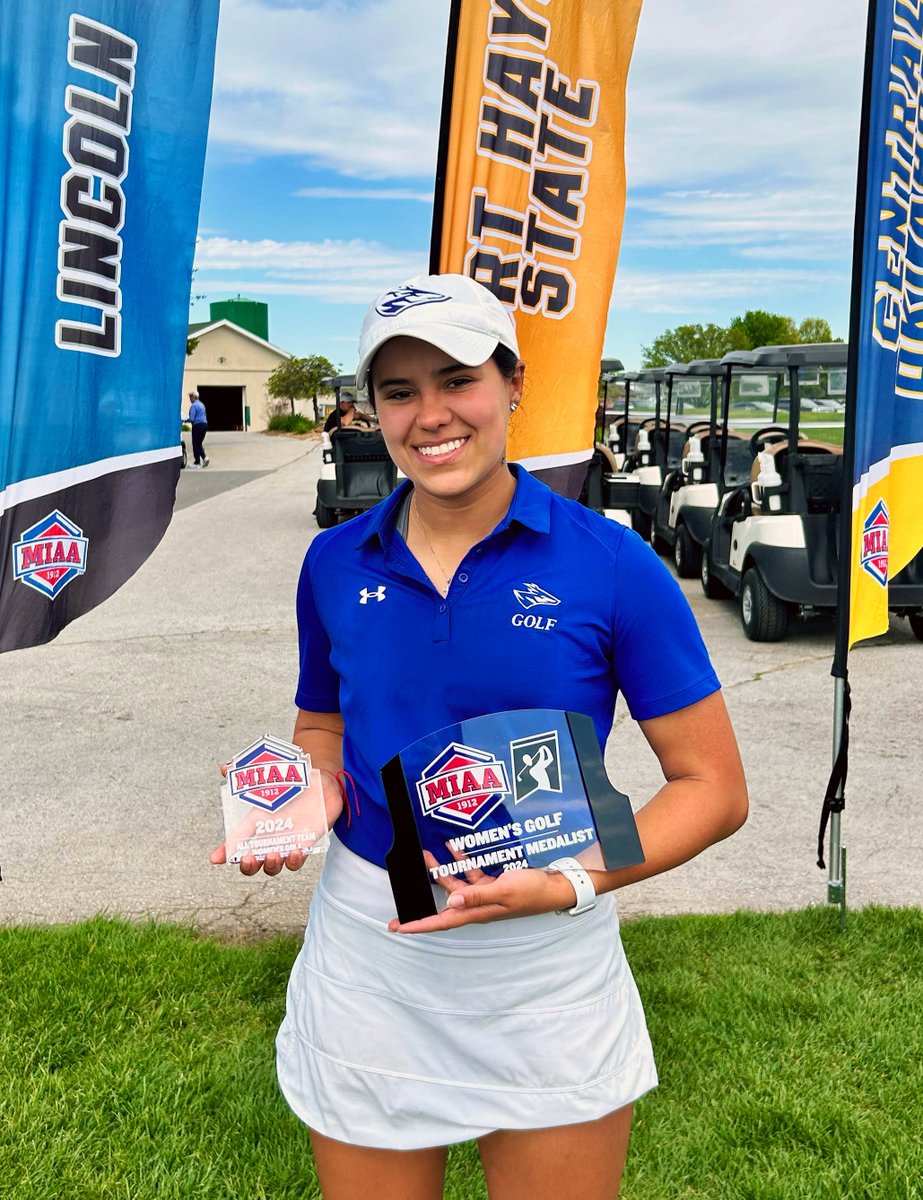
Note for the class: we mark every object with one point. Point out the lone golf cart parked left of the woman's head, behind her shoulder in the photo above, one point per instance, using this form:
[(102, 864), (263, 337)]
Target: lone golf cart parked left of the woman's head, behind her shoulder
[(357, 470)]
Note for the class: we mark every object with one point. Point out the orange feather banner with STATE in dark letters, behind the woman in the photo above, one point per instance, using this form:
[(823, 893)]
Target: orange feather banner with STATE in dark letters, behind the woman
[(535, 195)]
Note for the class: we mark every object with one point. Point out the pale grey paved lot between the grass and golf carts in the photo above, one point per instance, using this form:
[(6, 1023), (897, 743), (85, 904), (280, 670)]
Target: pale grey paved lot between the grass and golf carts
[(111, 736)]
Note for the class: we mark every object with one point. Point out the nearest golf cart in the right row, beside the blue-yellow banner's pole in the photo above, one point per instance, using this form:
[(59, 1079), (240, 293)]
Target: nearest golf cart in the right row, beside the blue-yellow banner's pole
[(774, 539)]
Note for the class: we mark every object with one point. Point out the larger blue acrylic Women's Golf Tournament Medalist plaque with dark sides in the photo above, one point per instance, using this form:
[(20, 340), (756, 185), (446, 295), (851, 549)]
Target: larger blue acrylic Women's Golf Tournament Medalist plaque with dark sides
[(500, 794)]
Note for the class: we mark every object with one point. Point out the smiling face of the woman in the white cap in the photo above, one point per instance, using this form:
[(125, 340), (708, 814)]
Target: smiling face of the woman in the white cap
[(445, 424)]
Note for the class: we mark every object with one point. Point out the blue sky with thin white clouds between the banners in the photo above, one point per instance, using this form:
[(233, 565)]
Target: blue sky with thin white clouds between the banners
[(741, 158)]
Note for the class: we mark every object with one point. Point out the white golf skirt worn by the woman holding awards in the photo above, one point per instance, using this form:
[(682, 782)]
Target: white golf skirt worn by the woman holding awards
[(403, 1041)]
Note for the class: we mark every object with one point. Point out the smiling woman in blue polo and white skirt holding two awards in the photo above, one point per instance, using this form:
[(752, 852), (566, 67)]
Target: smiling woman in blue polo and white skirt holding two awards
[(512, 1016)]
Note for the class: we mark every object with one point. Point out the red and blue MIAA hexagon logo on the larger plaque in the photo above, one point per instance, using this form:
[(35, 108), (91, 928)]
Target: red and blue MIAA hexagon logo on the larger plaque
[(463, 785)]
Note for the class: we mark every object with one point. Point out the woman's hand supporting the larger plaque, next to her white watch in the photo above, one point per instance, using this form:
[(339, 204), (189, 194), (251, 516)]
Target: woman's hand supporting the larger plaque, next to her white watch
[(522, 893)]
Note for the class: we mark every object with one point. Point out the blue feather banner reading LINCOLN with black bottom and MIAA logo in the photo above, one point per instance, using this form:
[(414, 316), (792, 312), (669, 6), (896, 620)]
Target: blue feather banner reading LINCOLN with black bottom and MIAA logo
[(104, 115)]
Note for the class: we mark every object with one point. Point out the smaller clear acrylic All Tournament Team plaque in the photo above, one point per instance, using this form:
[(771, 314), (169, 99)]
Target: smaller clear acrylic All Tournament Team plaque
[(273, 802)]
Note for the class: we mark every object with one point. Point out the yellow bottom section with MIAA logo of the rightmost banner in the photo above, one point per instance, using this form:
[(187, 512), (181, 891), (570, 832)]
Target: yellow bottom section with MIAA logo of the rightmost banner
[(882, 549)]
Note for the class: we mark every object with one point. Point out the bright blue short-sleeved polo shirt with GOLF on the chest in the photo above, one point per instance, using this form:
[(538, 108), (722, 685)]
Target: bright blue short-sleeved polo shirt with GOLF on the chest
[(559, 608)]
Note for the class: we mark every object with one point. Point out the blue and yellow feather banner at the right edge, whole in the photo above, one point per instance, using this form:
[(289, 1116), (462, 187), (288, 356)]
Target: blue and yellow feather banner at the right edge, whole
[(888, 403)]
